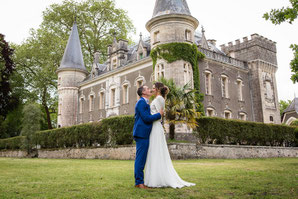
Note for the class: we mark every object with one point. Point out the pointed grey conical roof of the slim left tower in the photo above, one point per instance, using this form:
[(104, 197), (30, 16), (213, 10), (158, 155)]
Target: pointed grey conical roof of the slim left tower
[(73, 56)]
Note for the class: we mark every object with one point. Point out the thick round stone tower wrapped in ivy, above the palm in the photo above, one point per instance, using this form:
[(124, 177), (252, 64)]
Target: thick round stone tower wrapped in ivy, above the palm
[(172, 22)]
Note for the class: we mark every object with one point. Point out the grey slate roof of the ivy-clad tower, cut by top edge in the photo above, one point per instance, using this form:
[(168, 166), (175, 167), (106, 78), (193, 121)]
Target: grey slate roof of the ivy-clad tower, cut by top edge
[(163, 7)]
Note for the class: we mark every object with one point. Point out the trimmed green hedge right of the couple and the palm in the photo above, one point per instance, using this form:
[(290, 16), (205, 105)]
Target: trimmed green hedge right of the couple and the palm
[(222, 131)]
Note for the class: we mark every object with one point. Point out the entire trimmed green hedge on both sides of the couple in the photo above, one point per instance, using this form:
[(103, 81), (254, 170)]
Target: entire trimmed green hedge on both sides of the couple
[(118, 131)]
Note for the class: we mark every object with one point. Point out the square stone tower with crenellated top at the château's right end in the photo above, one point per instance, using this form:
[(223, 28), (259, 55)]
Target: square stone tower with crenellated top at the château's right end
[(260, 54)]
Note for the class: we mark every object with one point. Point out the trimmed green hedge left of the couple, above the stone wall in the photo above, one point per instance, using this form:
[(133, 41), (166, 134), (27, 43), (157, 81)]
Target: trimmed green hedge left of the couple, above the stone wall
[(109, 132)]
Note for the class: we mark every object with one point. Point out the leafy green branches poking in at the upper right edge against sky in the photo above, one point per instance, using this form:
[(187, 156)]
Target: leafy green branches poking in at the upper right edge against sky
[(289, 14)]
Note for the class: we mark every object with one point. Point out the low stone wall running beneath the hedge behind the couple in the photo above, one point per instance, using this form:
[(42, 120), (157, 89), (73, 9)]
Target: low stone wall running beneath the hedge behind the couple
[(177, 151)]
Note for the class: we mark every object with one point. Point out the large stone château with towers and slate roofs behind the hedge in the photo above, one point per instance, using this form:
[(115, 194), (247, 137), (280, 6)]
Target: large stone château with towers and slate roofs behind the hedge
[(237, 80)]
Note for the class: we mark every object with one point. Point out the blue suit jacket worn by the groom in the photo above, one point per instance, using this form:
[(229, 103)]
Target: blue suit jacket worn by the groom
[(143, 119)]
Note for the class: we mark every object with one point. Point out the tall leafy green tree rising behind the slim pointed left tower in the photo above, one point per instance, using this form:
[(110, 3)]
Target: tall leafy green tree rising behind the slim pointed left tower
[(98, 21)]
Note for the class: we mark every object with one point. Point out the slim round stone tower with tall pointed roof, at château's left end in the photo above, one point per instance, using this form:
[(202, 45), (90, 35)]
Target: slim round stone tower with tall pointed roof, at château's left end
[(71, 71)]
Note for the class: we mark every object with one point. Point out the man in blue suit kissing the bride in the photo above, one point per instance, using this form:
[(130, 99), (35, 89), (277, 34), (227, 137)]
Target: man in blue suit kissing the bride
[(141, 131)]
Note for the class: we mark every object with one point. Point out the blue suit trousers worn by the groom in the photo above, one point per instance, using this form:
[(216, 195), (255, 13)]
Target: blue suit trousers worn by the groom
[(140, 161)]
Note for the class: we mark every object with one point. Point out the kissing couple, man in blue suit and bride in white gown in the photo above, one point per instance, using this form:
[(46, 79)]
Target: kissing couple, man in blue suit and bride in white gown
[(152, 152)]
